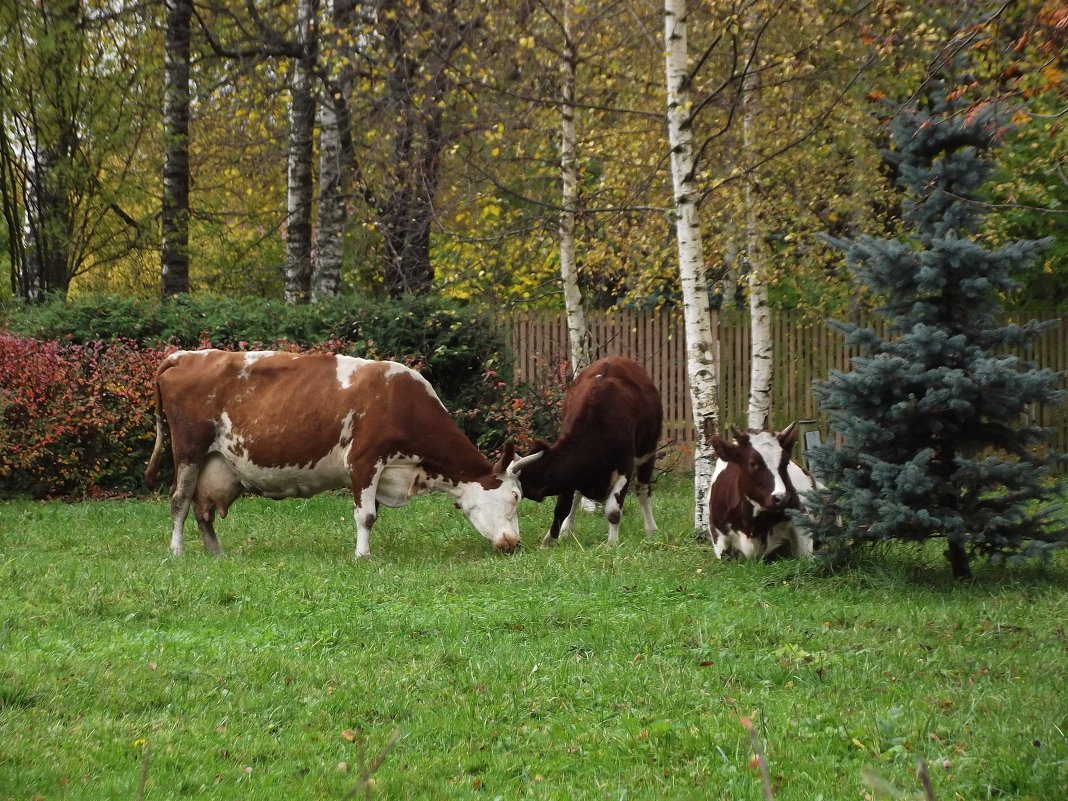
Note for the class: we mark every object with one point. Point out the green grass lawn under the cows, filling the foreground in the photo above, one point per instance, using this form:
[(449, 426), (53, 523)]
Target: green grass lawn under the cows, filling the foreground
[(577, 673)]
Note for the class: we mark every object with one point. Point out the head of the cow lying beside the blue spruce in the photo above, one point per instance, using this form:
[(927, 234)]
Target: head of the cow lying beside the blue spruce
[(763, 458)]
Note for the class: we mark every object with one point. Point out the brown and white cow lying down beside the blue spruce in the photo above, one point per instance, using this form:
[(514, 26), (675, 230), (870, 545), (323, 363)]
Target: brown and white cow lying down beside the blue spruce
[(755, 484)]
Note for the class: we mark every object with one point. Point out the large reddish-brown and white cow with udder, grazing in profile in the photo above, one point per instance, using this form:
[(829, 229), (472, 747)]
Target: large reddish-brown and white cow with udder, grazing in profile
[(291, 426)]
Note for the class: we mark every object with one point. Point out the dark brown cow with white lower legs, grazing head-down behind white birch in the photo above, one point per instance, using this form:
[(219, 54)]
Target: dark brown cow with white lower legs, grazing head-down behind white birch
[(609, 434)]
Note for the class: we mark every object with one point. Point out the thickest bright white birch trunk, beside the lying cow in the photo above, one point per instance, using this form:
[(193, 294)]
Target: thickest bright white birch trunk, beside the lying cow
[(700, 343)]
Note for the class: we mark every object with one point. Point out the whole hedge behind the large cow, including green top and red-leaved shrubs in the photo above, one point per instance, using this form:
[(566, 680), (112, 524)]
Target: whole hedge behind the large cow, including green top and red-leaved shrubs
[(76, 389)]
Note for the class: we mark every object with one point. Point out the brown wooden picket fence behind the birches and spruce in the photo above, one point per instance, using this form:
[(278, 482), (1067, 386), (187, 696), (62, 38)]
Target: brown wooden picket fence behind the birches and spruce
[(806, 351)]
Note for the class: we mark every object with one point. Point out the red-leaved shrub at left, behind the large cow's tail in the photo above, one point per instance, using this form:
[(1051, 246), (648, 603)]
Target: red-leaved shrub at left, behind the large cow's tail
[(75, 420)]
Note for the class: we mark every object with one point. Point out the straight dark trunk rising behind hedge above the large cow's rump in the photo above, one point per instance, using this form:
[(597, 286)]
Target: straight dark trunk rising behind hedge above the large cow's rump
[(175, 215)]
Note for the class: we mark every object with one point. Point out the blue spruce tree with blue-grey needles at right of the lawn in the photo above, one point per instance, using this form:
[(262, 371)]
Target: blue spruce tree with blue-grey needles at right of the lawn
[(933, 421)]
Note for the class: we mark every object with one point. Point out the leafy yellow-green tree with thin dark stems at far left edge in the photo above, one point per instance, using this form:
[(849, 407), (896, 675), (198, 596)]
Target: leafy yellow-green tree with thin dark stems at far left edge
[(73, 107)]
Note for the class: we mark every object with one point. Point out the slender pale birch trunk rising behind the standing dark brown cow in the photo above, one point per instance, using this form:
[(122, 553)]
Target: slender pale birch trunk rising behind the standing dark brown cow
[(578, 334)]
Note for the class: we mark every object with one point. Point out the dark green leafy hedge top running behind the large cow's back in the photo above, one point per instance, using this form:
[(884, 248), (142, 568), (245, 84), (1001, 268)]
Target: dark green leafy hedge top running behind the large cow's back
[(451, 344)]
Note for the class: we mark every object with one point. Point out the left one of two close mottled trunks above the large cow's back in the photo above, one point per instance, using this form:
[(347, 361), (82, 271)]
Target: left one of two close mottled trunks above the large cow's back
[(299, 242)]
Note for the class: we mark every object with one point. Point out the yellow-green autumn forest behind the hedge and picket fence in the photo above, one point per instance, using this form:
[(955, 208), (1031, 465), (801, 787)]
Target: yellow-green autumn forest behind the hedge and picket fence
[(402, 147)]
